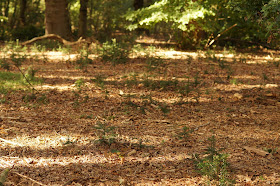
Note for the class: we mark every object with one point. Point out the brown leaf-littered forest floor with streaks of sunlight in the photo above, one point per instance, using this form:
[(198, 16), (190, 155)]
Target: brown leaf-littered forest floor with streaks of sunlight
[(142, 122)]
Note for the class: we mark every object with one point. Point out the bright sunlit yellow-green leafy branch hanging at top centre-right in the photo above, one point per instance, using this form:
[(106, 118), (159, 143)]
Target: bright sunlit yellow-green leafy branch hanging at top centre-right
[(180, 13)]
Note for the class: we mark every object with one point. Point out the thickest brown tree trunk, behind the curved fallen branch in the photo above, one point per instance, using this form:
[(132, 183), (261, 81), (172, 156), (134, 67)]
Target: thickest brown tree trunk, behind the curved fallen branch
[(57, 19)]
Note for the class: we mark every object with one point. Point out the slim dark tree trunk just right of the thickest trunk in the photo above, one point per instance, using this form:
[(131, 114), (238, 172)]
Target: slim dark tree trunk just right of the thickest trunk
[(83, 18)]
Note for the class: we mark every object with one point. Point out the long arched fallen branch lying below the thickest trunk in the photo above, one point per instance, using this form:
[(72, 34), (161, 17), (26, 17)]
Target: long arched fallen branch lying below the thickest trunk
[(55, 37)]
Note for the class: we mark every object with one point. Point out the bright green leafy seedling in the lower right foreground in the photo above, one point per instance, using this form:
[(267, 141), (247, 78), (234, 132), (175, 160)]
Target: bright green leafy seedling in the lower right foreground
[(214, 165)]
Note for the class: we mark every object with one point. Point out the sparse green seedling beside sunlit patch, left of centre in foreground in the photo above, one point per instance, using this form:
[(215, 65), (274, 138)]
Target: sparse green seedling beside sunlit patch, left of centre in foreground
[(105, 134)]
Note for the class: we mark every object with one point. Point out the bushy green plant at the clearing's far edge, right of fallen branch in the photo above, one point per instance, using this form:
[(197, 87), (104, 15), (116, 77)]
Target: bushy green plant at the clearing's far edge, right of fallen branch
[(114, 52)]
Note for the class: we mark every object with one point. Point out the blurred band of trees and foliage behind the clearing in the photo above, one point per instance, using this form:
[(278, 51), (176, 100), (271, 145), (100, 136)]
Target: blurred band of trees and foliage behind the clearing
[(189, 23)]
